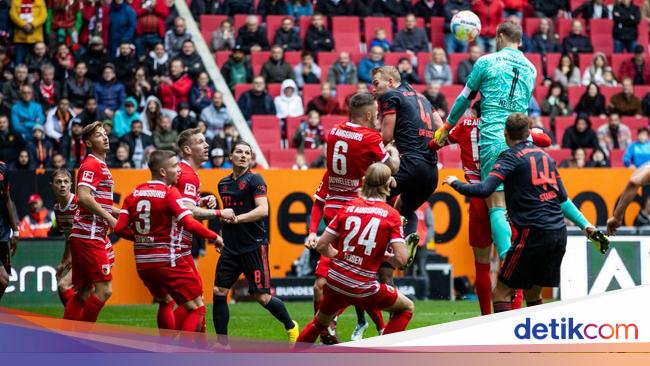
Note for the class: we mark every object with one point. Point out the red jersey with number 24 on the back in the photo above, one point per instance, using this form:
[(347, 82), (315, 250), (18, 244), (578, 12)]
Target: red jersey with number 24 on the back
[(365, 228)]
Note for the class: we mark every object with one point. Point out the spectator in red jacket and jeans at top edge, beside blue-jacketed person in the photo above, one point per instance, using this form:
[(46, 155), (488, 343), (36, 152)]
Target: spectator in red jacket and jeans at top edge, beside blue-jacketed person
[(150, 24)]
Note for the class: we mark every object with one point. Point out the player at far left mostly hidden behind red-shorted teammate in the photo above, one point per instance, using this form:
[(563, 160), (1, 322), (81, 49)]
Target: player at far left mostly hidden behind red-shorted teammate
[(65, 210)]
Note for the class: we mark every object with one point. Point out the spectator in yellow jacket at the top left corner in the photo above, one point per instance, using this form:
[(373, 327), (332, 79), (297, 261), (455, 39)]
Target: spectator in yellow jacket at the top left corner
[(28, 17)]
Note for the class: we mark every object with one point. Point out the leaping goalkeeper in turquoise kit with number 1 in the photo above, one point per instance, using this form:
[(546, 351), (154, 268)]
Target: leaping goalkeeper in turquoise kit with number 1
[(505, 79)]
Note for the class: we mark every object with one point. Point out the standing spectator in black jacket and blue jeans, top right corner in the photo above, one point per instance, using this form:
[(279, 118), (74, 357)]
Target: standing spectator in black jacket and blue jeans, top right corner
[(626, 23)]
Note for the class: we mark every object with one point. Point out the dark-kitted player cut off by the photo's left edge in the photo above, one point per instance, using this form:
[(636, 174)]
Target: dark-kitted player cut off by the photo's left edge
[(8, 228)]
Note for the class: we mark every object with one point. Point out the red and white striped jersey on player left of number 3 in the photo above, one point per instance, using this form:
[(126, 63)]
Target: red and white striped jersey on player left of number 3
[(94, 173)]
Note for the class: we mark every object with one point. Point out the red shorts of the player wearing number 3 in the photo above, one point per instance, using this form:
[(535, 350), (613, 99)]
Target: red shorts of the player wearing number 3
[(180, 282)]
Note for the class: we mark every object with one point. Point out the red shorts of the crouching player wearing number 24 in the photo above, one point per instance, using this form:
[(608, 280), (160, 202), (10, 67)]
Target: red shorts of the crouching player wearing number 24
[(334, 301)]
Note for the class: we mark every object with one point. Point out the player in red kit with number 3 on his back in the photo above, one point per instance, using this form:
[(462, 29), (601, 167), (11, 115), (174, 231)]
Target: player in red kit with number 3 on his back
[(153, 215)]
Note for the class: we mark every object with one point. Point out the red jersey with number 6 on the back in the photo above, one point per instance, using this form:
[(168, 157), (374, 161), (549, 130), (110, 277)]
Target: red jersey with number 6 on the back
[(351, 149)]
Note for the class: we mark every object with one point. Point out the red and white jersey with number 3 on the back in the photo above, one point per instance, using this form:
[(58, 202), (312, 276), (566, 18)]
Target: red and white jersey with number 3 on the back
[(153, 211)]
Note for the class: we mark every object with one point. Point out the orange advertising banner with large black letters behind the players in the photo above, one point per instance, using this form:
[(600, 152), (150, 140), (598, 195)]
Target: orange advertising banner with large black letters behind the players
[(595, 191)]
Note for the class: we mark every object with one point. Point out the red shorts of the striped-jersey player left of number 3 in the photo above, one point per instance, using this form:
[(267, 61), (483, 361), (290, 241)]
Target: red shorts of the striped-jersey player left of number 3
[(91, 261)]
